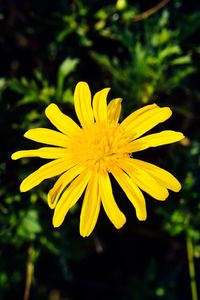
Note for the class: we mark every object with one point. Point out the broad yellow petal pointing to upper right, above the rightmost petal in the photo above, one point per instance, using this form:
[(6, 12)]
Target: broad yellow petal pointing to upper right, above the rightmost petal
[(145, 121)]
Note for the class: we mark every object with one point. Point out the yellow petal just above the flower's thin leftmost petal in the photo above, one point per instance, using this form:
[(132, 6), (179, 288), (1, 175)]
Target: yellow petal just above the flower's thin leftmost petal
[(47, 136)]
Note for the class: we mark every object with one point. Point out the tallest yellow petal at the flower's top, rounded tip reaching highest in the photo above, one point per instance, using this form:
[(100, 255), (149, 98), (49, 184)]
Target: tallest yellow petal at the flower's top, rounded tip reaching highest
[(82, 103)]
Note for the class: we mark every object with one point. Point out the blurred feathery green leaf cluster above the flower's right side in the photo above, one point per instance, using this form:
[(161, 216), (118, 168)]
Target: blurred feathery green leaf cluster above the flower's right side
[(153, 60)]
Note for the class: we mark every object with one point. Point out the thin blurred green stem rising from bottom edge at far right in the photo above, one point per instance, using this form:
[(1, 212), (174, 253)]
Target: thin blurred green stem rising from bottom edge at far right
[(191, 266)]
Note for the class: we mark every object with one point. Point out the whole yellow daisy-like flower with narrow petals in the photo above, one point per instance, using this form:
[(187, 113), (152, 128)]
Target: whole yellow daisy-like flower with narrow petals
[(85, 155)]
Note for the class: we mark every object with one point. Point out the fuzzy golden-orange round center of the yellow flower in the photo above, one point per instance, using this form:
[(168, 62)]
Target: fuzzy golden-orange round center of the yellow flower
[(99, 145)]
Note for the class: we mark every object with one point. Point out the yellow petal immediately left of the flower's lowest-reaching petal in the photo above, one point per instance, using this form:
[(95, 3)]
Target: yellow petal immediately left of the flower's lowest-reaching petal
[(70, 197)]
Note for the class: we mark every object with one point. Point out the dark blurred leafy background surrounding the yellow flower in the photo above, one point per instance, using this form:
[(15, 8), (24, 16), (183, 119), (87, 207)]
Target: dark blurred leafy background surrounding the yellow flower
[(146, 51)]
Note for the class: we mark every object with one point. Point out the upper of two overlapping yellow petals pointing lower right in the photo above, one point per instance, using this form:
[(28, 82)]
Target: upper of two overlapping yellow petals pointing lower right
[(163, 177)]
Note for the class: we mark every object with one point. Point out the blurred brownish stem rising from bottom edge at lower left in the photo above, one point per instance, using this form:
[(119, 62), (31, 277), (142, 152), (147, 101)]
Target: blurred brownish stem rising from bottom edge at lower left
[(29, 272)]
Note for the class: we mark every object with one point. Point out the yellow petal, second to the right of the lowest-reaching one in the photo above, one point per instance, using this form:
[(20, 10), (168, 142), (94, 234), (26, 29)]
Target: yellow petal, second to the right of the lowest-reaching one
[(132, 191)]
